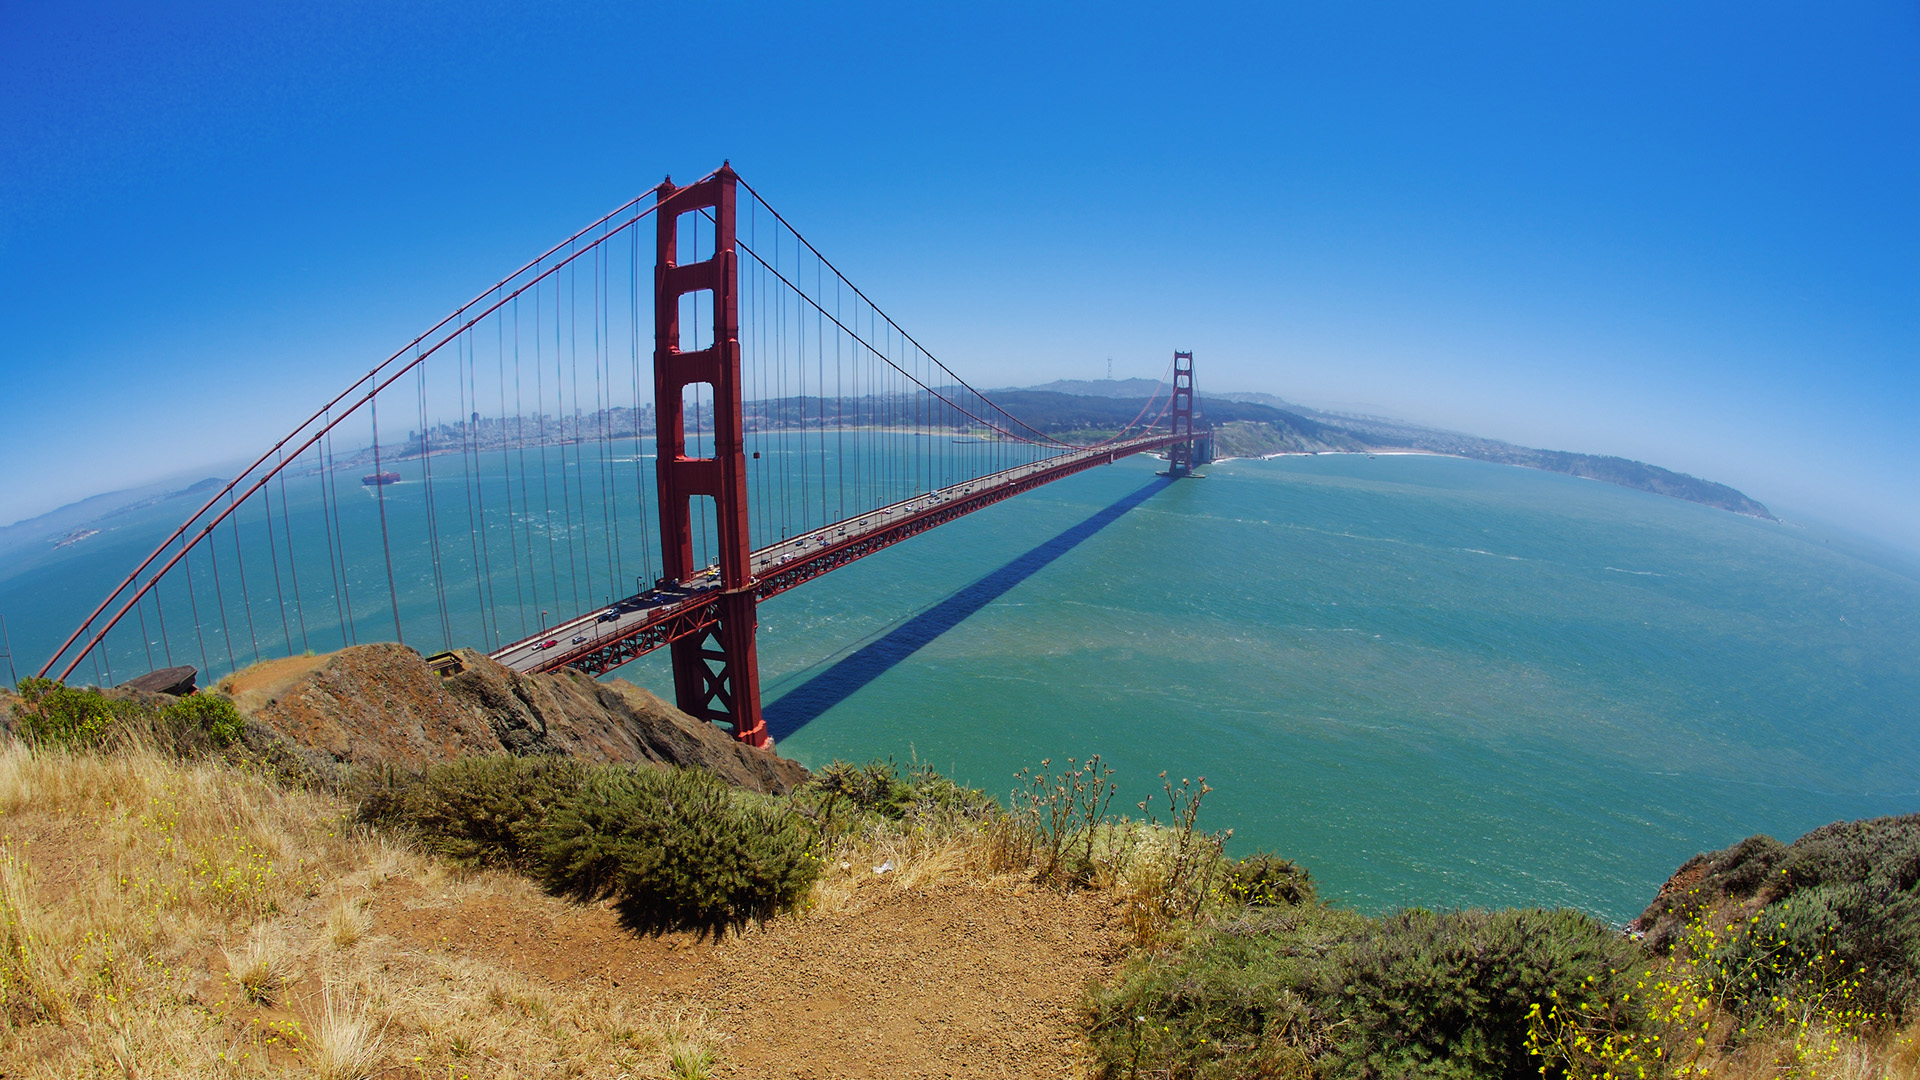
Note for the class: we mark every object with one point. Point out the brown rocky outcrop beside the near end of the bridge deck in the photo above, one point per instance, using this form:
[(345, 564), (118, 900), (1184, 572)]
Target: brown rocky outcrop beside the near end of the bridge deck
[(385, 706)]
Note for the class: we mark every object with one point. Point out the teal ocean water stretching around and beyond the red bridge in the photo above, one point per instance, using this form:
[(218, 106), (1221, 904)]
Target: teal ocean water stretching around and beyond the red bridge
[(1437, 683)]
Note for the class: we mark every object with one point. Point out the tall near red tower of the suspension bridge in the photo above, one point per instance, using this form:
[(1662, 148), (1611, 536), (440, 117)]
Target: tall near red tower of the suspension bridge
[(717, 674)]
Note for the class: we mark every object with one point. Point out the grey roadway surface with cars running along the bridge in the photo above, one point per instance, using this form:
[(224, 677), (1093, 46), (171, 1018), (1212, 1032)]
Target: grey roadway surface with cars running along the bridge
[(604, 626)]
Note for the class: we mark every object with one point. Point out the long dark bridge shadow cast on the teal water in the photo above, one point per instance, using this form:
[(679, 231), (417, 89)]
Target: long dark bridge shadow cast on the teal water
[(813, 699)]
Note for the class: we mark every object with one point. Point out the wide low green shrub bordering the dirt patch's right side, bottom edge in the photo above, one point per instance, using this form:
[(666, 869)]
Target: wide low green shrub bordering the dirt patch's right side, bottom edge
[(1314, 991)]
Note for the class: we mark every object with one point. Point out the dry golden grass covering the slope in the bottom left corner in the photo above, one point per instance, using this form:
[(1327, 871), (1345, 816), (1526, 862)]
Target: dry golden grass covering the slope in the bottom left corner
[(181, 921)]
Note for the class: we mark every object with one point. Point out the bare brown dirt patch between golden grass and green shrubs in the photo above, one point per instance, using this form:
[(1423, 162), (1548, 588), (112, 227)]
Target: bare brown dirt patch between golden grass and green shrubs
[(953, 981)]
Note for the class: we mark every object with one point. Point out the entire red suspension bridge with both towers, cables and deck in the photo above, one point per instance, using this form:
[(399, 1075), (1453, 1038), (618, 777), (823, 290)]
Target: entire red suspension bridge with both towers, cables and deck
[(790, 424)]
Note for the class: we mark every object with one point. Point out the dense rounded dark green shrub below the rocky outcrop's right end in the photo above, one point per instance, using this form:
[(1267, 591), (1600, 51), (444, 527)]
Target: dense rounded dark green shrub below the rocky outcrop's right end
[(677, 850)]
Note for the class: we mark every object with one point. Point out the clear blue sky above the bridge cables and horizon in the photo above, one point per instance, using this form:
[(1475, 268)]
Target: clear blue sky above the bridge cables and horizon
[(1683, 233)]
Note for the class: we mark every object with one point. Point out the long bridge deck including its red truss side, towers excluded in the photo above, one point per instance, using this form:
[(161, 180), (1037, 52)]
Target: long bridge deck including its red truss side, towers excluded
[(608, 637)]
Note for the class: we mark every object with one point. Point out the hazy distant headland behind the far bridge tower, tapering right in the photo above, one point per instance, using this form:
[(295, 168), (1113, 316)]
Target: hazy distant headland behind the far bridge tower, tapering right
[(1253, 426)]
